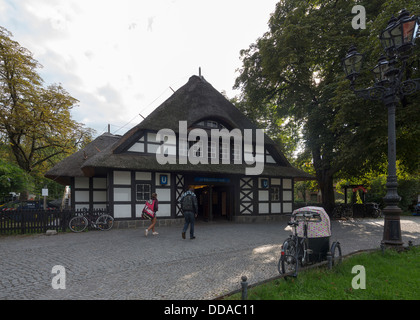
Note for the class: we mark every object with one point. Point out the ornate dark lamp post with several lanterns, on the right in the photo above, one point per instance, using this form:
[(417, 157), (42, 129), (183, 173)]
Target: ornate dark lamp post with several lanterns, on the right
[(397, 39)]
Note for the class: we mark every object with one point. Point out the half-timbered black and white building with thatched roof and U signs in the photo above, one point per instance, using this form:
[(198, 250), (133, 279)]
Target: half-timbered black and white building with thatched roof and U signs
[(235, 174)]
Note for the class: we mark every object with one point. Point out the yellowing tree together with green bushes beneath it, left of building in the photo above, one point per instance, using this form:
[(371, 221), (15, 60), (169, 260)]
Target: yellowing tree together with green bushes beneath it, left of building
[(36, 128)]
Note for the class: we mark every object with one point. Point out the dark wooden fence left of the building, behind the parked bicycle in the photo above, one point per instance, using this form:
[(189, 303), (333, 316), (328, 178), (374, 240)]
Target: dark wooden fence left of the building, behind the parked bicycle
[(39, 221)]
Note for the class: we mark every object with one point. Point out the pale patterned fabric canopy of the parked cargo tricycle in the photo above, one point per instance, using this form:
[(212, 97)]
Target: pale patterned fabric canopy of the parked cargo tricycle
[(316, 229)]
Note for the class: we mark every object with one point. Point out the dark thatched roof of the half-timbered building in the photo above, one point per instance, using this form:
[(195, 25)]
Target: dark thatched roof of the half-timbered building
[(195, 101)]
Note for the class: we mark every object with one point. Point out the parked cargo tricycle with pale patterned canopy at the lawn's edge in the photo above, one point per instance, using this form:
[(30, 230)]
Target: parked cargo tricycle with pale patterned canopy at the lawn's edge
[(310, 241)]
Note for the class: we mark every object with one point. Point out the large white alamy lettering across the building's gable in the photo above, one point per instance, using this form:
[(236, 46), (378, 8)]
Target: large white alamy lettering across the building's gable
[(196, 147)]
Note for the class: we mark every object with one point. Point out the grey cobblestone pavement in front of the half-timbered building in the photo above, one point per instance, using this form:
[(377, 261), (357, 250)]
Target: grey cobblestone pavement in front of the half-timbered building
[(124, 264)]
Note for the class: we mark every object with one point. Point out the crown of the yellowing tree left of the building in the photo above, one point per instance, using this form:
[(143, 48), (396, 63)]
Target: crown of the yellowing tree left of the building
[(35, 121)]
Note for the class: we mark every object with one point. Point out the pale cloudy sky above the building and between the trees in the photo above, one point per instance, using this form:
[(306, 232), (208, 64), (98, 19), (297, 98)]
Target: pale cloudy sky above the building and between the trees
[(123, 58)]
